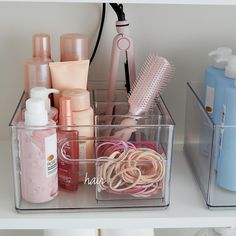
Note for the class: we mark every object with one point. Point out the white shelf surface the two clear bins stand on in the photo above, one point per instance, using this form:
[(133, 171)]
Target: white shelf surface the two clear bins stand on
[(187, 209)]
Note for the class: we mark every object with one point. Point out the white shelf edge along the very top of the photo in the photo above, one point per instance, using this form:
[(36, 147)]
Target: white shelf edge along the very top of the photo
[(188, 2)]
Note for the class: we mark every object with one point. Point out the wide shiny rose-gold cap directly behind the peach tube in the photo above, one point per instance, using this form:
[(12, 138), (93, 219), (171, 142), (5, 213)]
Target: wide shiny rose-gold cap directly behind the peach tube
[(74, 47)]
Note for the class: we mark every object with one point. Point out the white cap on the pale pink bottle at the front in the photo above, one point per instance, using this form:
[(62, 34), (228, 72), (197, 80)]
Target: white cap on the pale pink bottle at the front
[(36, 113)]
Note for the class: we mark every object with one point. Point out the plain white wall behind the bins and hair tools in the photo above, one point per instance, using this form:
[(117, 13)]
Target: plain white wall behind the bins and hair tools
[(184, 34)]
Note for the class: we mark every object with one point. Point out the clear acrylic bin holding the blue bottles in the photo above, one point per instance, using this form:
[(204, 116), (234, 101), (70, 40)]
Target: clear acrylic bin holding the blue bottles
[(209, 148)]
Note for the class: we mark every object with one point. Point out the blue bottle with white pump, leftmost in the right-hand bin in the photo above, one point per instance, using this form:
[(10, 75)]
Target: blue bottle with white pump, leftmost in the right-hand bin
[(214, 83)]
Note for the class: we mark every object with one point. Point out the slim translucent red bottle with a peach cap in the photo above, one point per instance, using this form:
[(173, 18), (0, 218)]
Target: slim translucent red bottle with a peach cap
[(68, 148)]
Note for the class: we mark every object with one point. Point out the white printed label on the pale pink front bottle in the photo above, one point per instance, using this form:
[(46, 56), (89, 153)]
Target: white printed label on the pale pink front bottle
[(51, 155)]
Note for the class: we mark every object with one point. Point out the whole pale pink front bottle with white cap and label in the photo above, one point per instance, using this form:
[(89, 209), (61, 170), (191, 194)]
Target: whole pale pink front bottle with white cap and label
[(38, 154)]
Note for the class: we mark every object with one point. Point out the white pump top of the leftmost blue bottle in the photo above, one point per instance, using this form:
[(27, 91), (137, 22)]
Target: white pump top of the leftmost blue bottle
[(221, 56)]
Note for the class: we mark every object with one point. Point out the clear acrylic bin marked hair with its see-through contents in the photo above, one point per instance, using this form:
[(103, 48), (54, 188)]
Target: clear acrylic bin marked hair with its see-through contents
[(115, 165)]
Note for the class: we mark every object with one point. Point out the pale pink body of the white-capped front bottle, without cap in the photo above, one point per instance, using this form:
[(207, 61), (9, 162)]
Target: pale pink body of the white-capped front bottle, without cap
[(38, 162)]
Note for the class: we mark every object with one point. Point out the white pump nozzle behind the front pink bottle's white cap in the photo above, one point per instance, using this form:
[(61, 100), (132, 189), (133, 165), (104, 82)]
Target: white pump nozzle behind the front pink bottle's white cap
[(42, 92)]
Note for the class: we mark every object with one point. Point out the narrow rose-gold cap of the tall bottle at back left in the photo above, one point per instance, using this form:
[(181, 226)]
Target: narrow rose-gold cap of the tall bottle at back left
[(42, 46)]
